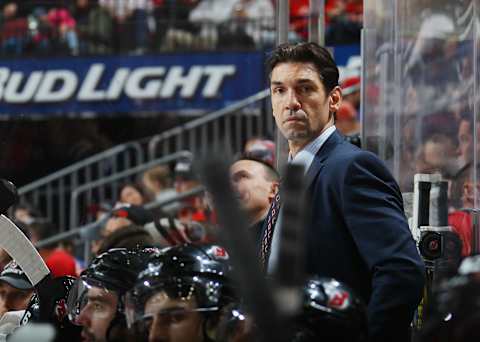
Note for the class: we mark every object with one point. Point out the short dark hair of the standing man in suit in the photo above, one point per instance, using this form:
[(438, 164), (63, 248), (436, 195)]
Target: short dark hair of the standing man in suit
[(309, 52)]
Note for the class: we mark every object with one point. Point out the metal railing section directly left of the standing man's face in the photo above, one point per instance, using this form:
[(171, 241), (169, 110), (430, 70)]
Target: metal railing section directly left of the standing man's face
[(226, 129)]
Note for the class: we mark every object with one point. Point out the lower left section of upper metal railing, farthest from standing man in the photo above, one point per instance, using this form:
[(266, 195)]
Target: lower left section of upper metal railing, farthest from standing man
[(50, 194)]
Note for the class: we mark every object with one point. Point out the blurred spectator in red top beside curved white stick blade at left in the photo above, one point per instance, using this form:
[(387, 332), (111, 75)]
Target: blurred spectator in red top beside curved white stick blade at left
[(59, 261)]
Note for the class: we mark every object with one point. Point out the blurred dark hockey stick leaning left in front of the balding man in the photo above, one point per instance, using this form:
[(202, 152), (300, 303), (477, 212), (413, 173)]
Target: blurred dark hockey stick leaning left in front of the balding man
[(233, 234)]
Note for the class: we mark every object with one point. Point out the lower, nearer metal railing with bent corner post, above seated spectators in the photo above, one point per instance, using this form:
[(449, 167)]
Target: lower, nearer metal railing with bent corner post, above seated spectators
[(94, 192)]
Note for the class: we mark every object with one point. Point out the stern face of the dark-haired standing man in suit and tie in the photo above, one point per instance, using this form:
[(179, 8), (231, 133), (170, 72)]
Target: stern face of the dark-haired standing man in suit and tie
[(301, 107)]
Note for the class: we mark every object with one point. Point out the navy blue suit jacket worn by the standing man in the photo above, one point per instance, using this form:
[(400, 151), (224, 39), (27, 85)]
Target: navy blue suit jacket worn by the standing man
[(359, 235)]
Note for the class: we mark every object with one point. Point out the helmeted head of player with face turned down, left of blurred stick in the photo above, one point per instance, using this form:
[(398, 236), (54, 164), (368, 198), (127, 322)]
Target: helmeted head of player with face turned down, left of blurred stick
[(179, 296)]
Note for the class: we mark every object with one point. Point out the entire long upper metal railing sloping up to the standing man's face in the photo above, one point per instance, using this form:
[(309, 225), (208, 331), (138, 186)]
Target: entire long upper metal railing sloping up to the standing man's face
[(227, 128)]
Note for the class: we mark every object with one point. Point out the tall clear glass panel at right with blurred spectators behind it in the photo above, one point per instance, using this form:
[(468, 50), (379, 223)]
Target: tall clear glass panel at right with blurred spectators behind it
[(421, 97)]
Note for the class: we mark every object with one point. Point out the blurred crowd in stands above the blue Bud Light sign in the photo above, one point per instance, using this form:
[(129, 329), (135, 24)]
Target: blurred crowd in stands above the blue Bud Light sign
[(92, 27)]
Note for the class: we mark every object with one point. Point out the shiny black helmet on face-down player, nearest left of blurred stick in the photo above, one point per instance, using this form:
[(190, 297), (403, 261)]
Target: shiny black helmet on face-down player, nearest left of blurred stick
[(183, 272)]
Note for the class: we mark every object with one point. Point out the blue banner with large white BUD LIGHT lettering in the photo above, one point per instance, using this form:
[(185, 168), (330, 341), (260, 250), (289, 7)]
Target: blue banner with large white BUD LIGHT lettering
[(189, 83)]
